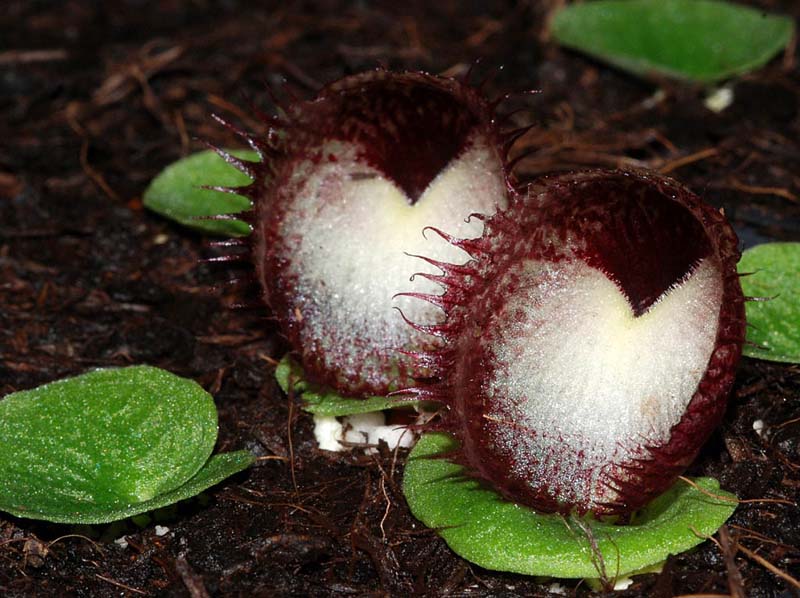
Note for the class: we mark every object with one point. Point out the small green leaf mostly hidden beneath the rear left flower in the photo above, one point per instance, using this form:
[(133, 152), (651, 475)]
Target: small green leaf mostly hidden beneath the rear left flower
[(323, 401)]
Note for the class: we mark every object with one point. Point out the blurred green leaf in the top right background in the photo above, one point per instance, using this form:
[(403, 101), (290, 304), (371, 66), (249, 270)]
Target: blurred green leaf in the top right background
[(698, 40)]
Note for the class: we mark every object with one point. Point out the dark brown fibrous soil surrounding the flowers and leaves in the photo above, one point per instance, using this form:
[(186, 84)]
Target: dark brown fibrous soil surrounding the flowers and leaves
[(97, 97)]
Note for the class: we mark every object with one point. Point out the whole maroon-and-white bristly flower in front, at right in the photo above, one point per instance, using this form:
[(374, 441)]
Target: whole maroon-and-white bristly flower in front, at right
[(591, 342)]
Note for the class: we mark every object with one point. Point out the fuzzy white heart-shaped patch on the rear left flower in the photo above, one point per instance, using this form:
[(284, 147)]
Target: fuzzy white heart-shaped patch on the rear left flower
[(349, 231)]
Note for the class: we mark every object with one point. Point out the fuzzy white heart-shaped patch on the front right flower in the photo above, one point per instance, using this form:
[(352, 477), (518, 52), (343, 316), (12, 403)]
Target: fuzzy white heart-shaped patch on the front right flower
[(593, 382)]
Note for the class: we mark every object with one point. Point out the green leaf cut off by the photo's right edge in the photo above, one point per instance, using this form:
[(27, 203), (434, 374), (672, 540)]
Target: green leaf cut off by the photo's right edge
[(773, 274)]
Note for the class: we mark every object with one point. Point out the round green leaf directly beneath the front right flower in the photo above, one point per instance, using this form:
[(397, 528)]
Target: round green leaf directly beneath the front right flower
[(485, 529)]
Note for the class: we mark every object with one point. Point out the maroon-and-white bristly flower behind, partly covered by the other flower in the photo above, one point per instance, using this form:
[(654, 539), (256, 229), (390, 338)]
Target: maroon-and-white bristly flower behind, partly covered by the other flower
[(346, 185)]
